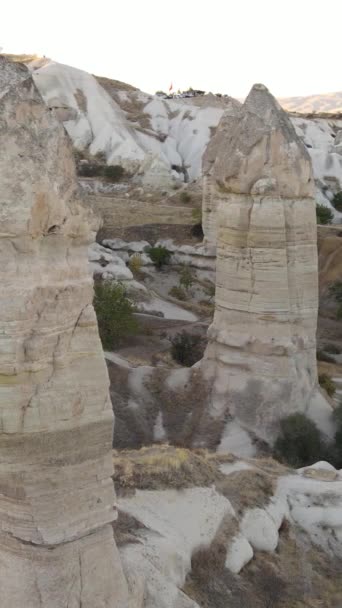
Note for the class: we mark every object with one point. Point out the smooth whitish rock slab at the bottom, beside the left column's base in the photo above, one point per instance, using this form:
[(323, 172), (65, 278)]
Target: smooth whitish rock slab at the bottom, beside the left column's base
[(176, 523)]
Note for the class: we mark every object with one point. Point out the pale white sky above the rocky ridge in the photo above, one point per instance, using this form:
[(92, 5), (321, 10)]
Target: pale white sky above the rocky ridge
[(292, 46)]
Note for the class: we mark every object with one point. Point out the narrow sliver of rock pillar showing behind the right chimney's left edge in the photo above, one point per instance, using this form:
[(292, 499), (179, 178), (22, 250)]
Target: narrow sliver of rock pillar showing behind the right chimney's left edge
[(215, 149)]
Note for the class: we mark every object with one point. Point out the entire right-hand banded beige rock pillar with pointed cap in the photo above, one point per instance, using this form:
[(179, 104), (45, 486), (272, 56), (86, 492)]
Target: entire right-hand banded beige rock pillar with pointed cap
[(261, 357)]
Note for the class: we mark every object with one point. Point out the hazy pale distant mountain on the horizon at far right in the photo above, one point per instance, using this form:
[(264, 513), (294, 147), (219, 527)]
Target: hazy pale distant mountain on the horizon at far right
[(322, 103)]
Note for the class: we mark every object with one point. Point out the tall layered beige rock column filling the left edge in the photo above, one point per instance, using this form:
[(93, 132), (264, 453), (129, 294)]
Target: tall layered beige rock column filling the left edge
[(56, 493)]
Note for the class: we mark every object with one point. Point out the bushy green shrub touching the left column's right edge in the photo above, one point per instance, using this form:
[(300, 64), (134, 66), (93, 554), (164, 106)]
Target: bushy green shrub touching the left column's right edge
[(114, 311)]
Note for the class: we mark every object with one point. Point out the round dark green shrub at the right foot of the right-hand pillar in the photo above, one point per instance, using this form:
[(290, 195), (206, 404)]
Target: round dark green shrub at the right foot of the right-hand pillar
[(299, 442)]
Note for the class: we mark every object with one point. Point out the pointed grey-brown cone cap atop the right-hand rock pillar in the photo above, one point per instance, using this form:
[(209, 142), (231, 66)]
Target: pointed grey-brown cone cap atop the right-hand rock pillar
[(262, 153)]
